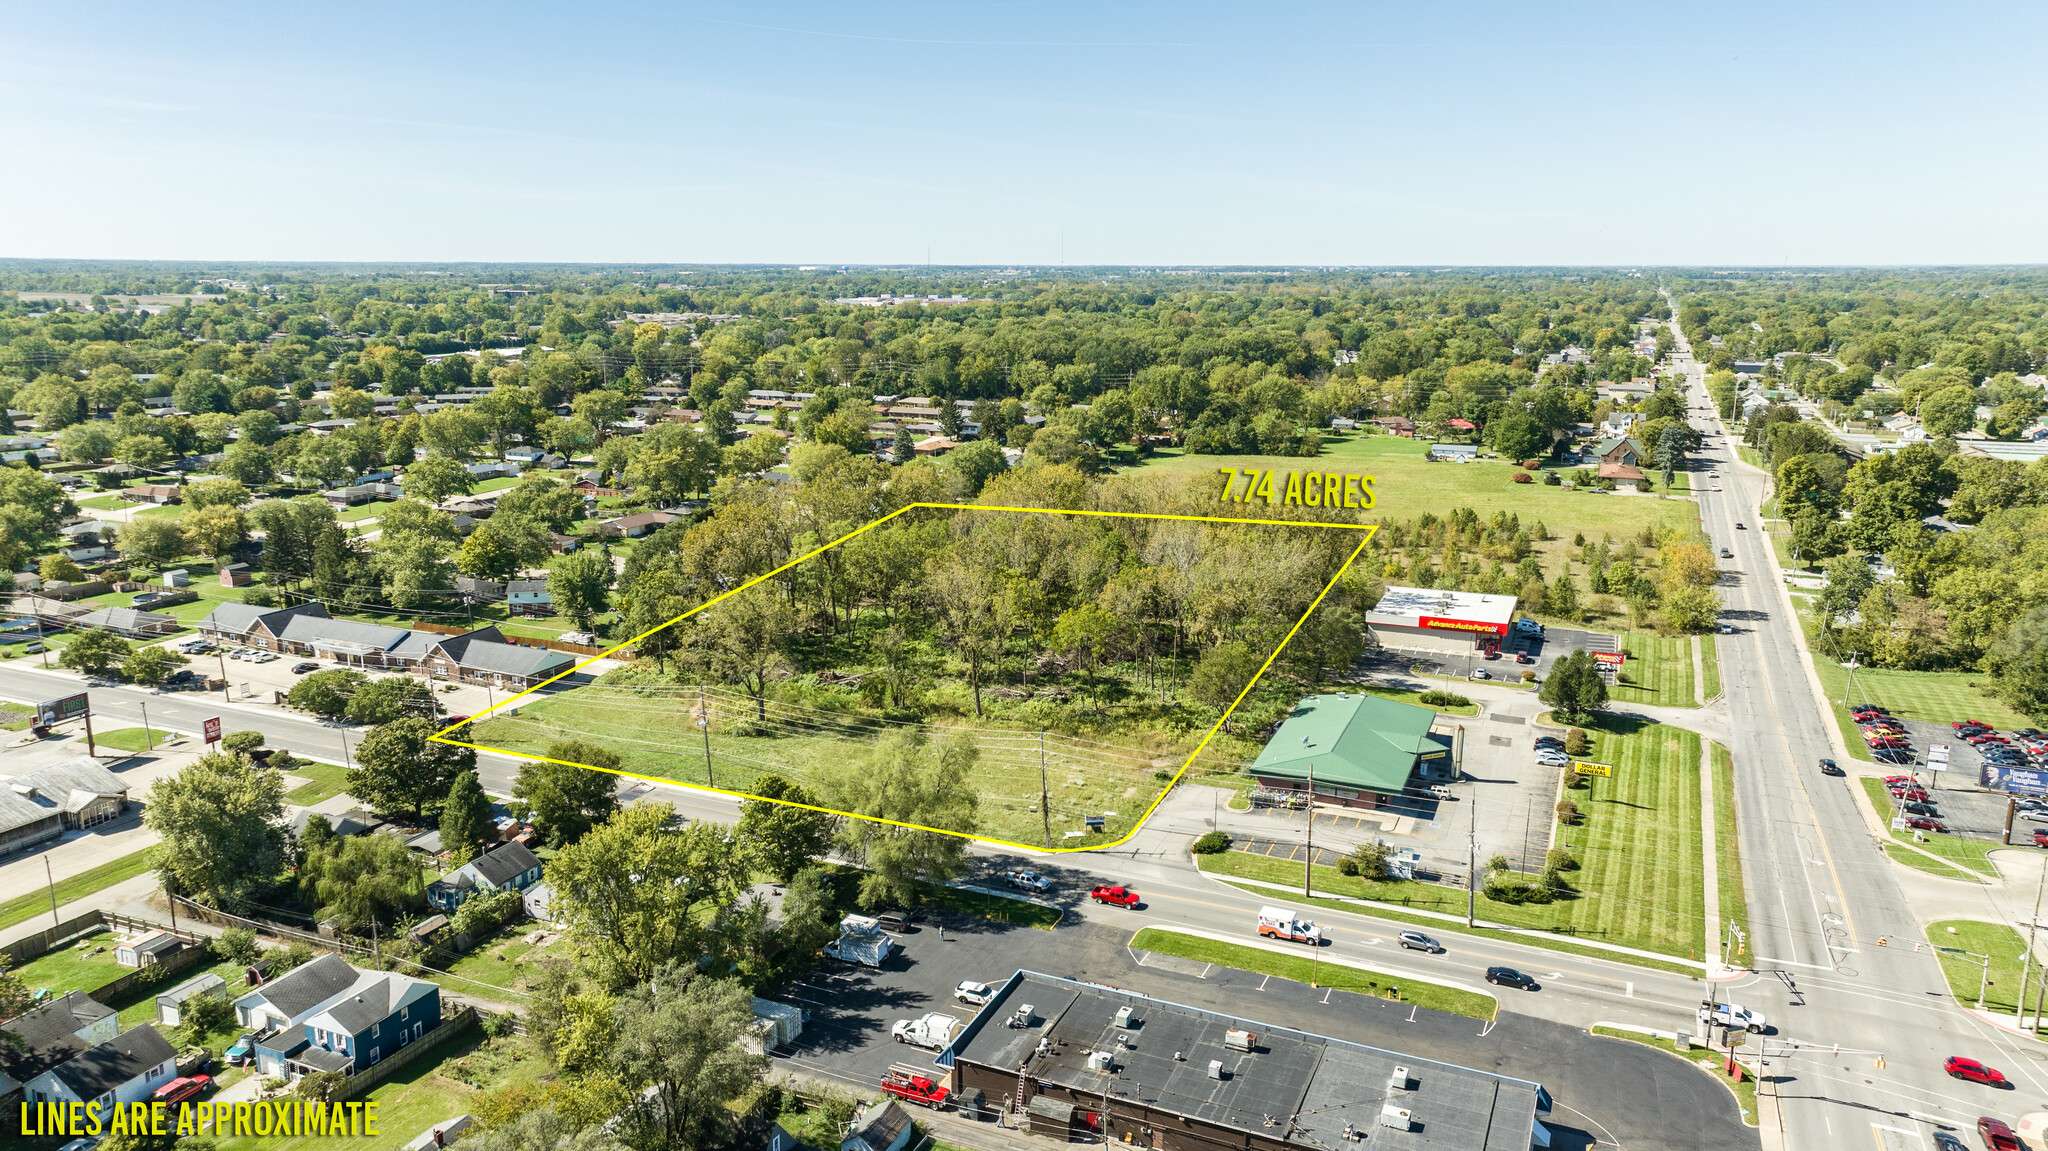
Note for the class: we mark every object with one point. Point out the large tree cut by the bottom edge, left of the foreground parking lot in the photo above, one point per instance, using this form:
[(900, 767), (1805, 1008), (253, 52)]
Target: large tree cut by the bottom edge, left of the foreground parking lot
[(679, 1050)]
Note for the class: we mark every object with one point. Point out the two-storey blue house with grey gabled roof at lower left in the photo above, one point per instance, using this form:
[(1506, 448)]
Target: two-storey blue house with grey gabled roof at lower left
[(331, 1017)]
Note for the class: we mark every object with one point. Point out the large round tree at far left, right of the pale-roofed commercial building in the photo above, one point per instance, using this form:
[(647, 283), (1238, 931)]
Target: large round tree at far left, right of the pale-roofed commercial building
[(222, 828)]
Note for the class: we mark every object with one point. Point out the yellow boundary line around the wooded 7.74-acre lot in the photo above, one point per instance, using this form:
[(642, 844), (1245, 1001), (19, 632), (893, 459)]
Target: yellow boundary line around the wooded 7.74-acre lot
[(1136, 828)]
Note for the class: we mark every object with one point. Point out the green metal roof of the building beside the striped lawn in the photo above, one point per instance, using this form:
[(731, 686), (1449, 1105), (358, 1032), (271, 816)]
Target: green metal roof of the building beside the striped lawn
[(1363, 742)]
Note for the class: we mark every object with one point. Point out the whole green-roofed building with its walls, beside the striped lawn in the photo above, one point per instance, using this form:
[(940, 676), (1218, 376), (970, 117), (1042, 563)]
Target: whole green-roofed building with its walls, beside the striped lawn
[(1361, 751)]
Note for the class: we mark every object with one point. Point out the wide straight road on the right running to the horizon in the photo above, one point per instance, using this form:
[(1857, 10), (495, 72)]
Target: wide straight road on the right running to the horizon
[(1832, 937)]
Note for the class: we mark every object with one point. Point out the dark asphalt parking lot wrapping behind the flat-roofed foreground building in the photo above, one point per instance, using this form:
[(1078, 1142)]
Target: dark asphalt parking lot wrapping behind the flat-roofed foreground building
[(1601, 1084)]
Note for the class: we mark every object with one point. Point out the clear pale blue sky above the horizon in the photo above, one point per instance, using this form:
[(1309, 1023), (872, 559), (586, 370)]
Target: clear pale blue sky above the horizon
[(1027, 134)]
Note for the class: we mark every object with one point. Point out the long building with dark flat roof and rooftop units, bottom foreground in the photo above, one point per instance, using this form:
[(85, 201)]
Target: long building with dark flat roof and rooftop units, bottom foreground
[(1119, 1066)]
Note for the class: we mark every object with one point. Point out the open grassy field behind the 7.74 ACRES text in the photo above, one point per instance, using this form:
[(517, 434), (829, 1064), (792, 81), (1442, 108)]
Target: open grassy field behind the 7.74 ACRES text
[(1408, 486)]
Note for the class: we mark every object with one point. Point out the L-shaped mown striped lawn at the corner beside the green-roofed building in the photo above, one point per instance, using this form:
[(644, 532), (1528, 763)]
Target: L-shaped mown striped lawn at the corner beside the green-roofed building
[(1639, 847)]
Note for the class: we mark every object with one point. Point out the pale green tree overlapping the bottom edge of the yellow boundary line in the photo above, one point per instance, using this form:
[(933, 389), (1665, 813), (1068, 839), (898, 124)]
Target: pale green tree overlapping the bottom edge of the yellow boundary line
[(910, 783)]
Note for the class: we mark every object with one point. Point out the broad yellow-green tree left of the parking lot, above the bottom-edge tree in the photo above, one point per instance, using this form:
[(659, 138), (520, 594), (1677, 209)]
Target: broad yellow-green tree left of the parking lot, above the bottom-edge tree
[(646, 896)]
